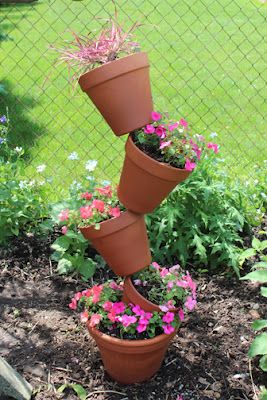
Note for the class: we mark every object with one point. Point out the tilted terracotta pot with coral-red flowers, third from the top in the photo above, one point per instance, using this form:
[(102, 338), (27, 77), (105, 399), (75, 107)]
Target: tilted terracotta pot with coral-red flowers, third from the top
[(122, 242)]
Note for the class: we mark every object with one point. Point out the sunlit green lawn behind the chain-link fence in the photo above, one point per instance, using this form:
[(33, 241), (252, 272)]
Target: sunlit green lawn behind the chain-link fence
[(208, 65)]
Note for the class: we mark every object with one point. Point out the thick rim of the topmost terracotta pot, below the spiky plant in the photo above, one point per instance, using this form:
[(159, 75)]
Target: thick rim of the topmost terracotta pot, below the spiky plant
[(112, 69)]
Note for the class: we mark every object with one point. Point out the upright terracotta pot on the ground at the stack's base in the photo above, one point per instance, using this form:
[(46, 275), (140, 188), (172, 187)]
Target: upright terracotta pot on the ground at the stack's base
[(131, 361)]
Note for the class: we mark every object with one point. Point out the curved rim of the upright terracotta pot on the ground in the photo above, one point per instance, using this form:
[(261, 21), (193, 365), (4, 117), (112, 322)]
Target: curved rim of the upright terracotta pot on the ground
[(130, 343)]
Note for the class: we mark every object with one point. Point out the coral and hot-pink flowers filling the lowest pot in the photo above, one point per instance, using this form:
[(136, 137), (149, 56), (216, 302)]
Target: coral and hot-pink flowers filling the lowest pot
[(101, 307)]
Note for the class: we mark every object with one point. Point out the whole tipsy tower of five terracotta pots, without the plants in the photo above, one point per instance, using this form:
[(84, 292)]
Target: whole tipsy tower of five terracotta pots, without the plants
[(121, 91)]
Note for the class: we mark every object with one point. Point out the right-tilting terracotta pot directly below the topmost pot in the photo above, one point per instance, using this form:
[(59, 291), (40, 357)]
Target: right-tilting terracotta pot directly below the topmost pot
[(145, 182)]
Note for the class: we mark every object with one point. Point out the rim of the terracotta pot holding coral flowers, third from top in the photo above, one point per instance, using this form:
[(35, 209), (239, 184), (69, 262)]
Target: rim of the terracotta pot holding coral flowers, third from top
[(111, 225)]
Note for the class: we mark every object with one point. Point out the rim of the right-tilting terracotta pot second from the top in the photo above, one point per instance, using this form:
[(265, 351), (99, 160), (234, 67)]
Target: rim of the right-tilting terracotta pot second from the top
[(152, 166)]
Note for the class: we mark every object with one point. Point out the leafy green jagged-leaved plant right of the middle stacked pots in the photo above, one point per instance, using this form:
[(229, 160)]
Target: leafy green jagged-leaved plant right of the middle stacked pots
[(201, 220)]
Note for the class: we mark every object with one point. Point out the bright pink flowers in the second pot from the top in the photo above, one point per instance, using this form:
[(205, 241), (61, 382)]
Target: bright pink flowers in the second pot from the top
[(171, 142)]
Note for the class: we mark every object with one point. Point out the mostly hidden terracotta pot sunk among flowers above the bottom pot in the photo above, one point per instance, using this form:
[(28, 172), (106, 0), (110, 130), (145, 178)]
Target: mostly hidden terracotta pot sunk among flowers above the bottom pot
[(131, 295)]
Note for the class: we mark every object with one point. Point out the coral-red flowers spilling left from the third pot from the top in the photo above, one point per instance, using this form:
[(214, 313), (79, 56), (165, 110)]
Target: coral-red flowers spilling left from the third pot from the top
[(91, 208)]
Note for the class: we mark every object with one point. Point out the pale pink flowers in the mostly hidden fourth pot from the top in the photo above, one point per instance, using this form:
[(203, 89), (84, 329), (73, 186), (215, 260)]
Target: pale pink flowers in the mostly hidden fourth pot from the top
[(170, 288)]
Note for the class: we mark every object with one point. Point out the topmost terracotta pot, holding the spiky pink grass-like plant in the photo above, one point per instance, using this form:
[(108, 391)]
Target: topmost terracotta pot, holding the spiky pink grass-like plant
[(121, 91)]
